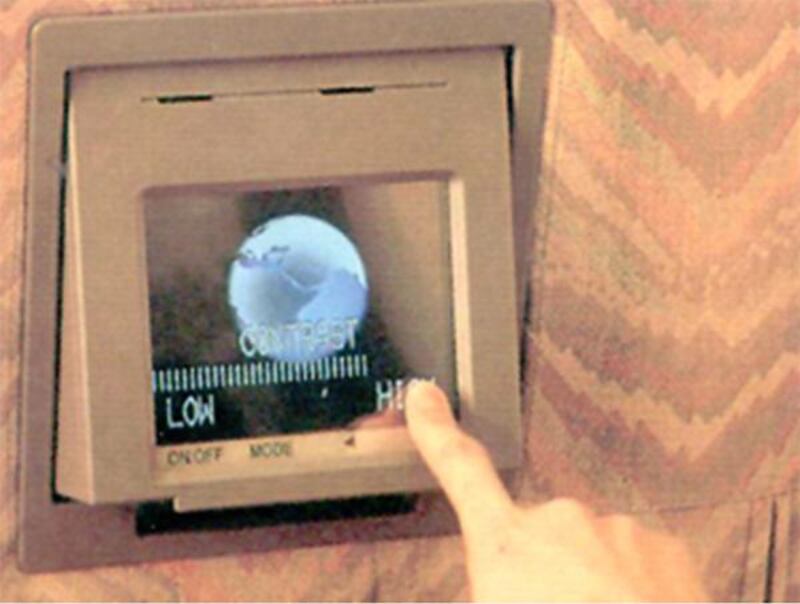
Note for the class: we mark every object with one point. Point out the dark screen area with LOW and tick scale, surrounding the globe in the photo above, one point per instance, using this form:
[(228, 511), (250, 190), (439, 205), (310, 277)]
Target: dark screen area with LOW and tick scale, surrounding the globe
[(206, 389)]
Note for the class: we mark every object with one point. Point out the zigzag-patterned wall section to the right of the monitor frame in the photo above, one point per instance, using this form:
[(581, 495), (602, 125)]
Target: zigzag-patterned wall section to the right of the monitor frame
[(663, 371)]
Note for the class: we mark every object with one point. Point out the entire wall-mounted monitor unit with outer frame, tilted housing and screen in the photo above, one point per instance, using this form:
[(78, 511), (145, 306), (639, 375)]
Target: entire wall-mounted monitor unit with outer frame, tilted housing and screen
[(213, 311)]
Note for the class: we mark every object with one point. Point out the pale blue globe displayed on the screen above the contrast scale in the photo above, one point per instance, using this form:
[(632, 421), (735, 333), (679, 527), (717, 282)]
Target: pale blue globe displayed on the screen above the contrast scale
[(298, 290)]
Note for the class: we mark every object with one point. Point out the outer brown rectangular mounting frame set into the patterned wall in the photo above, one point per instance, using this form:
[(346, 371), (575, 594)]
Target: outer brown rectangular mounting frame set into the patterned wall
[(57, 534)]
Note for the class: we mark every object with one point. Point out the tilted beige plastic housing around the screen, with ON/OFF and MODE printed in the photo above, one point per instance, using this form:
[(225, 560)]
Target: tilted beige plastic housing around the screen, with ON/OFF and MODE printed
[(267, 124)]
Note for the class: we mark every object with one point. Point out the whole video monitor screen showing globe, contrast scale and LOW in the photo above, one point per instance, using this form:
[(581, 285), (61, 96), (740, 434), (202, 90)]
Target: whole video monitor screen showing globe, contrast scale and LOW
[(292, 311)]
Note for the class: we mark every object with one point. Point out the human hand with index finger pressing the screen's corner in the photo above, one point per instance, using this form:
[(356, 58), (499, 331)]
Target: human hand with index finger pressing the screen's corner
[(560, 550)]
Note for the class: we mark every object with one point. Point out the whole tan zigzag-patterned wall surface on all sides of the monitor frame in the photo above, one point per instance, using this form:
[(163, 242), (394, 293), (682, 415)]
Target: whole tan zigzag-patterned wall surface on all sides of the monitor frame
[(663, 353)]
